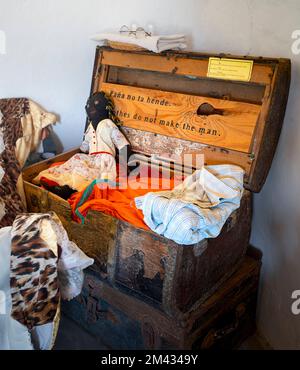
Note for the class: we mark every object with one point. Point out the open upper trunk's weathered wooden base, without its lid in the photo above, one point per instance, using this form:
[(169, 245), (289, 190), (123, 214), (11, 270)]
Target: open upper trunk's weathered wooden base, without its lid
[(169, 275)]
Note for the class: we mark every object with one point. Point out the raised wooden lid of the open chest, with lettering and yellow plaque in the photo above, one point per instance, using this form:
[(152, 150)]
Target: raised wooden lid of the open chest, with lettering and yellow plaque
[(230, 109)]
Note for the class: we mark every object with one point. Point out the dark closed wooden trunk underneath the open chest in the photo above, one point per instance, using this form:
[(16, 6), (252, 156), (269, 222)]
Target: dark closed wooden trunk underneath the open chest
[(122, 322)]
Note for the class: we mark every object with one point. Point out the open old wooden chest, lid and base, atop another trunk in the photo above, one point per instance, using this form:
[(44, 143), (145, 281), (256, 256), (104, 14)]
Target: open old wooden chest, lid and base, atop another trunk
[(187, 113)]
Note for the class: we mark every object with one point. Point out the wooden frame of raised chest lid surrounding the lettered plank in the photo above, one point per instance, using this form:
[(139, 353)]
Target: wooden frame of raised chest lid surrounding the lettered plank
[(186, 73)]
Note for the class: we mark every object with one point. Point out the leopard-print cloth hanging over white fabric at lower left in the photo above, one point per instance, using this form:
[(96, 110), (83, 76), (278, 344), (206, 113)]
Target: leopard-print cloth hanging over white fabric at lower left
[(33, 276)]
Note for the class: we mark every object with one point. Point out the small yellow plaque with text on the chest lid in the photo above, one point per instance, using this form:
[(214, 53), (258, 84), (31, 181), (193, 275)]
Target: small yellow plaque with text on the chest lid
[(230, 69)]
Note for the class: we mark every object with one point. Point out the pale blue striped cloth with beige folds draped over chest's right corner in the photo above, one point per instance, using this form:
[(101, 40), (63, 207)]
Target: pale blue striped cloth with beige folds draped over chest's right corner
[(197, 208)]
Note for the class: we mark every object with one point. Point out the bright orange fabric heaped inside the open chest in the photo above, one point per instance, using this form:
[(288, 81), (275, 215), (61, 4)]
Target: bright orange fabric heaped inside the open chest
[(117, 202)]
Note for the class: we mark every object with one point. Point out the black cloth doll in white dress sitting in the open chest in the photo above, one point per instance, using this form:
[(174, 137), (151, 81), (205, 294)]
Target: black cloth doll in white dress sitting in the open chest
[(97, 159)]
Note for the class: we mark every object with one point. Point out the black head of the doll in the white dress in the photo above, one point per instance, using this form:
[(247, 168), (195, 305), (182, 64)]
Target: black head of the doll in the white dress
[(97, 108)]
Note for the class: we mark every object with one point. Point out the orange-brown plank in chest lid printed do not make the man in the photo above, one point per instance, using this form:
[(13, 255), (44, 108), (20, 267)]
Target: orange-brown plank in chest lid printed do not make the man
[(175, 115)]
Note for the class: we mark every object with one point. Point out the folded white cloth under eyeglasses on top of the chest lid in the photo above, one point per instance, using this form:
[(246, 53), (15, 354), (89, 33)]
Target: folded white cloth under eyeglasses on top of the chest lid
[(156, 44)]
